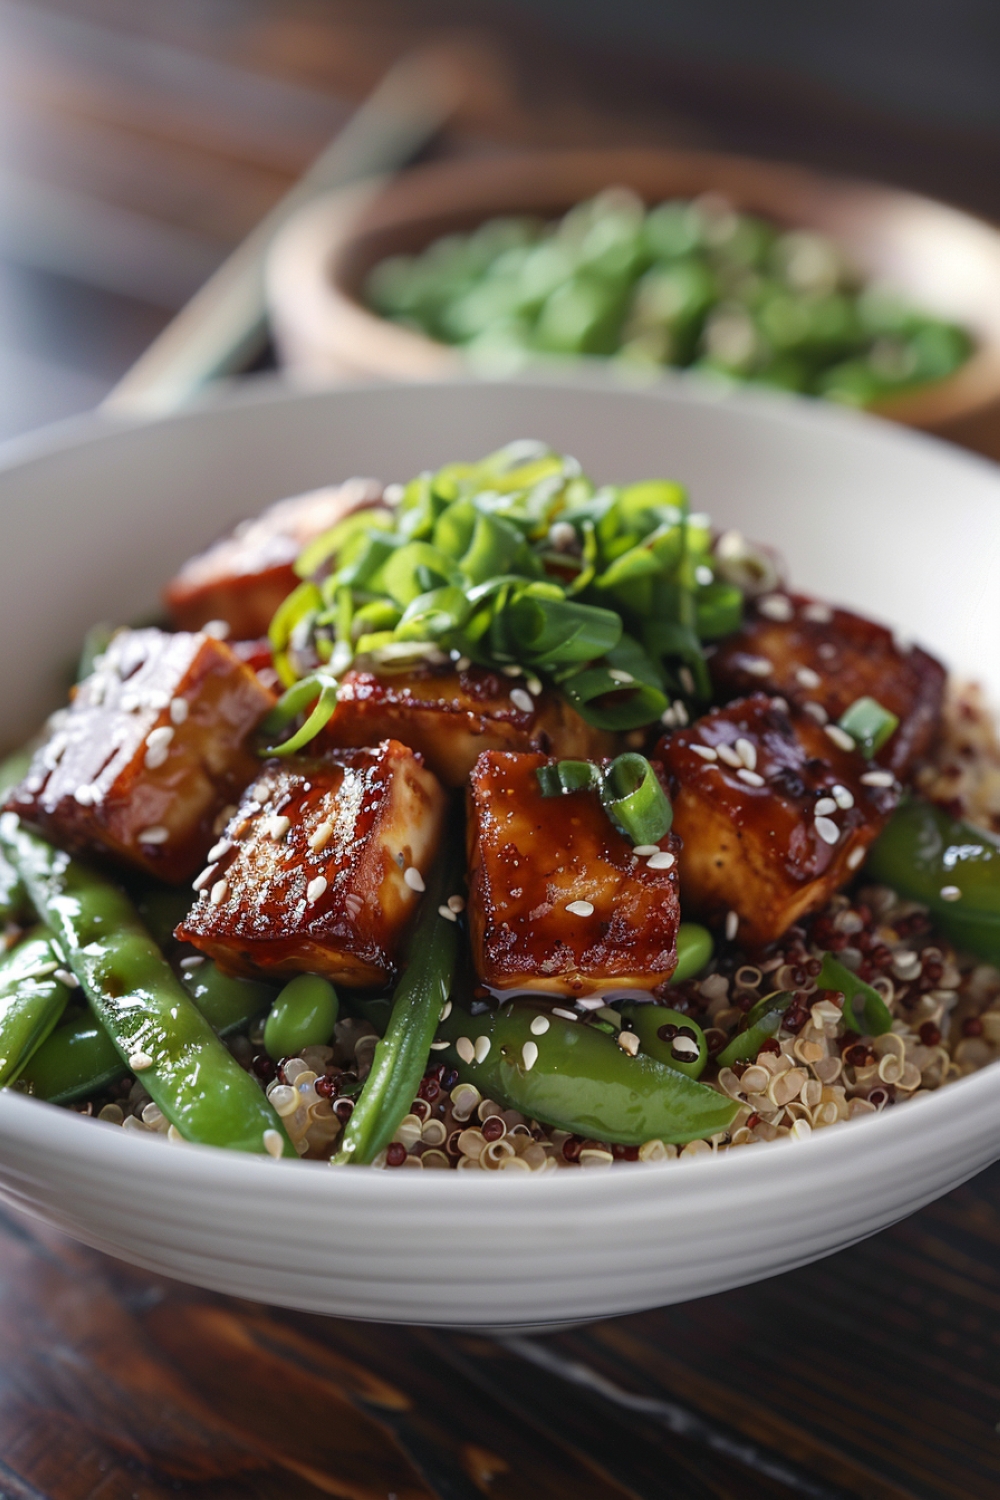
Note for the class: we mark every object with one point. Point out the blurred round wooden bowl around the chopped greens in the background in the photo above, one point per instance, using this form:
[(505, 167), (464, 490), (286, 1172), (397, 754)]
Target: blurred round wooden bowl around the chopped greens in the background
[(945, 260)]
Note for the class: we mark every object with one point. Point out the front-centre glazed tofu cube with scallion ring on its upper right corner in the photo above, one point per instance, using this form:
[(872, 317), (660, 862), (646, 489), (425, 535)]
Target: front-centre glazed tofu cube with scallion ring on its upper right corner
[(558, 901)]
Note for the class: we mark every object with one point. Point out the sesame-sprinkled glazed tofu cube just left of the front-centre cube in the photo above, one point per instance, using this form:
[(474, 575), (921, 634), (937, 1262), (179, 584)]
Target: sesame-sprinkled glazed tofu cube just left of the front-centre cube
[(322, 868)]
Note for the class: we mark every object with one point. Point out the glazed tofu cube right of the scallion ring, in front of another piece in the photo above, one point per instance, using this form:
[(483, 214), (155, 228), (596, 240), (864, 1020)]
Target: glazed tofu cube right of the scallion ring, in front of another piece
[(774, 815)]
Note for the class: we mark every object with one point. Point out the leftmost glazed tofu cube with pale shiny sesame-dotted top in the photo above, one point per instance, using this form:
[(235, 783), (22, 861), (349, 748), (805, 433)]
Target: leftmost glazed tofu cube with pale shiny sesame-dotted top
[(151, 751)]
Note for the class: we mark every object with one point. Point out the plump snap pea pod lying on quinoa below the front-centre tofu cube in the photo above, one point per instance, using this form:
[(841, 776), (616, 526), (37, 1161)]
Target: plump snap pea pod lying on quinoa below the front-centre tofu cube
[(576, 1078)]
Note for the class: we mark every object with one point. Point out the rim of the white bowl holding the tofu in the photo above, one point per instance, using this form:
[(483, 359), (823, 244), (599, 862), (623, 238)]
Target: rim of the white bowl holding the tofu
[(58, 1129)]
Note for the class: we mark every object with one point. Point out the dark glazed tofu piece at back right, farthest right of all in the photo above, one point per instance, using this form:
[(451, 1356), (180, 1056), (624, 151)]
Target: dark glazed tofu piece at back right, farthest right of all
[(824, 658)]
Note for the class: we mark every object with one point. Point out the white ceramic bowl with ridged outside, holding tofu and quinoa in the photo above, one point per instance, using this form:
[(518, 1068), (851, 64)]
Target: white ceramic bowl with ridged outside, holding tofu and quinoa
[(94, 520)]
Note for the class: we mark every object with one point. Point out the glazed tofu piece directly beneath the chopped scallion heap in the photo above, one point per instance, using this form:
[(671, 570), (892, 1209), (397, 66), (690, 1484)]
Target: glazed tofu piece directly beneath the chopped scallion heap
[(452, 718)]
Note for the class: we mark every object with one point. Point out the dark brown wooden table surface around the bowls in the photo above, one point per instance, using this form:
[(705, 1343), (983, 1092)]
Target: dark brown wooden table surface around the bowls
[(137, 145)]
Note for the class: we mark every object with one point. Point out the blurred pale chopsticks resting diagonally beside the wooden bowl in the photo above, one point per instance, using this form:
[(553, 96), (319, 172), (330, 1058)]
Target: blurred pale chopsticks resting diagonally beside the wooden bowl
[(224, 326)]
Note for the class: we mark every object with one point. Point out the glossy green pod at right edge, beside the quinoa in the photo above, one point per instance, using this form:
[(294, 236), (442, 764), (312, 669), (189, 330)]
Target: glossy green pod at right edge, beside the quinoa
[(950, 868)]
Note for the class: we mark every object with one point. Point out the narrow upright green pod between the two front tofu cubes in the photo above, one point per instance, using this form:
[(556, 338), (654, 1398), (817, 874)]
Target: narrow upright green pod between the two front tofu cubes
[(418, 1003)]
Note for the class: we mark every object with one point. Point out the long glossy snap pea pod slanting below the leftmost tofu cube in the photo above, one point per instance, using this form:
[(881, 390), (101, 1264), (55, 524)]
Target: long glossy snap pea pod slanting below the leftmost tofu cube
[(197, 1084)]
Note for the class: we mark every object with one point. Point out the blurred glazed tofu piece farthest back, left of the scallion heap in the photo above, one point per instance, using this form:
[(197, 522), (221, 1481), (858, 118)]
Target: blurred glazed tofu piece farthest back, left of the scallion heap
[(244, 578)]
